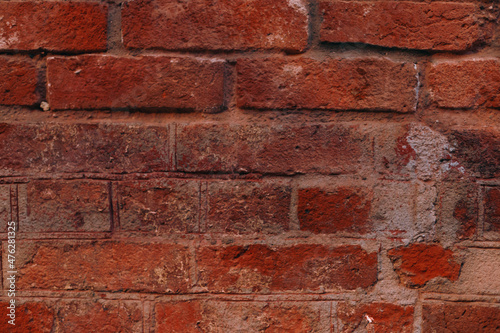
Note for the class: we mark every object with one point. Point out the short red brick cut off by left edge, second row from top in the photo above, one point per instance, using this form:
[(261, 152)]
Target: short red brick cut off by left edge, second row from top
[(19, 81)]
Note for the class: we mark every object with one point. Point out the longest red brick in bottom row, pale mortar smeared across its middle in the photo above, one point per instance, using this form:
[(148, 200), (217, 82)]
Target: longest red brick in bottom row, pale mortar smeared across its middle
[(273, 317)]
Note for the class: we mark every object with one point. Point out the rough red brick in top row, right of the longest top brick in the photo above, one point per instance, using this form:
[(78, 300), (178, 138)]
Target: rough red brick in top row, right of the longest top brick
[(412, 25)]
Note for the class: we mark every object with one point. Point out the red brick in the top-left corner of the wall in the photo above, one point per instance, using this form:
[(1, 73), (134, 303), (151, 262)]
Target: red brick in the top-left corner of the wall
[(53, 26)]
